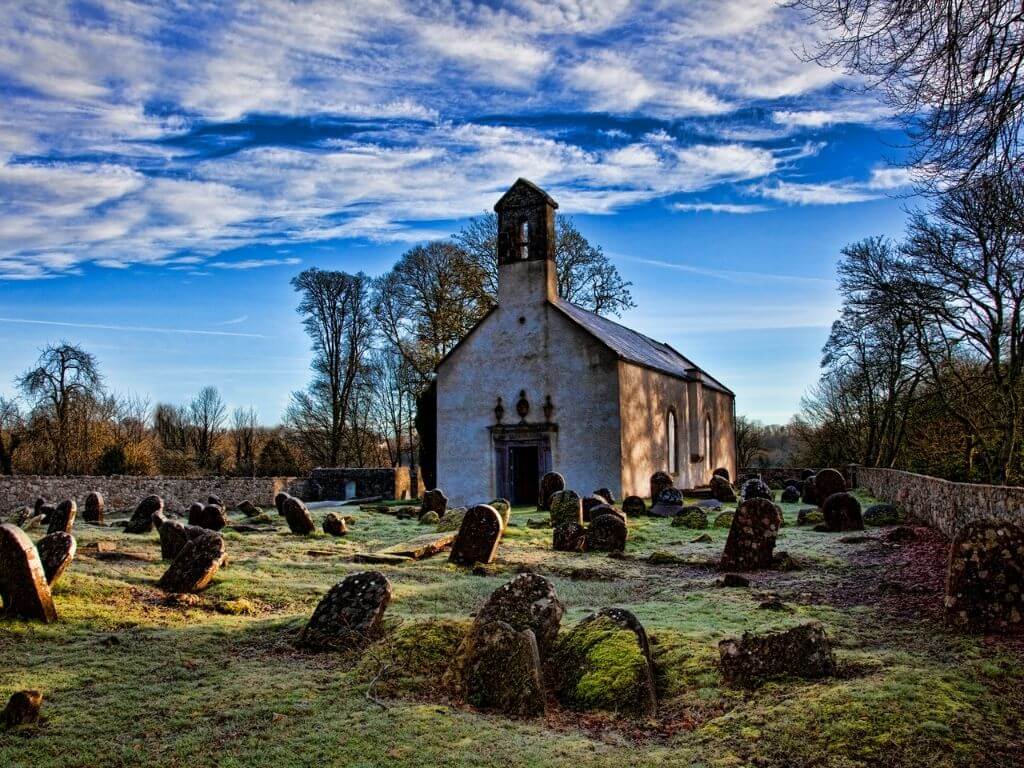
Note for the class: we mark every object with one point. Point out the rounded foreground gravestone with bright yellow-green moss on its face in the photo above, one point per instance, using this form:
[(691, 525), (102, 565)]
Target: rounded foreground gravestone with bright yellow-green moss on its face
[(605, 664)]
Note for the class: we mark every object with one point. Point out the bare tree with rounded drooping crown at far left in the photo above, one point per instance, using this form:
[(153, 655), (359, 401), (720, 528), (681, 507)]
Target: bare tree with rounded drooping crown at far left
[(64, 373)]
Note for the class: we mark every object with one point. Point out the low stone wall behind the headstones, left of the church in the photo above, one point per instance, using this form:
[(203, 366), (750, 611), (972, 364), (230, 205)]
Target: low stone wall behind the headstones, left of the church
[(123, 492)]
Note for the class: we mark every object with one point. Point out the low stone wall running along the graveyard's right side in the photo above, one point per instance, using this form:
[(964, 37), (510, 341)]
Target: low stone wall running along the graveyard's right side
[(944, 505)]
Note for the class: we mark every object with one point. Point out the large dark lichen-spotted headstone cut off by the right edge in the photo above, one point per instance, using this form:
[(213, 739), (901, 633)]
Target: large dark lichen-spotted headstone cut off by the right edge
[(986, 577)]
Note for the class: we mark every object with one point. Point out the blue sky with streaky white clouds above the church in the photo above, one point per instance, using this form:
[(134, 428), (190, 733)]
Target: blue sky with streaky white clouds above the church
[(166, 169)]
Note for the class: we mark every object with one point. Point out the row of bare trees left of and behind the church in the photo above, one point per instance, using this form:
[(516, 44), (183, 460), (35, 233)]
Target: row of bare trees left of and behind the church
[(375, 343)]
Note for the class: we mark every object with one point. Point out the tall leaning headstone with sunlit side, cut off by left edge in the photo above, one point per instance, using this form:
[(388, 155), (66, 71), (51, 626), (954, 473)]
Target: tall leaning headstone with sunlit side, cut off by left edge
[(23, 581)]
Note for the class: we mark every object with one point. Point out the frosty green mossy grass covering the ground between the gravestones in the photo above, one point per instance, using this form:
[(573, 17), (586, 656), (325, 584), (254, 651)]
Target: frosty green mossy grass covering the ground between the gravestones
[(132, 678)]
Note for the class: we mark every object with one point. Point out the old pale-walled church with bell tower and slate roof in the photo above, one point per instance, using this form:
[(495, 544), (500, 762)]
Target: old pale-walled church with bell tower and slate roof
[(541, 385)]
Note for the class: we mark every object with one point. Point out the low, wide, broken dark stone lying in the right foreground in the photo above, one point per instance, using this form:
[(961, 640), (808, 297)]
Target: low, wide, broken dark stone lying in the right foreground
[(803, 652)]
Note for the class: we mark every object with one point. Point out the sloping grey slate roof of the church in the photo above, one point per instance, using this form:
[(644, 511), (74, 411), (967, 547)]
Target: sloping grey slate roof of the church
[(635, 348)]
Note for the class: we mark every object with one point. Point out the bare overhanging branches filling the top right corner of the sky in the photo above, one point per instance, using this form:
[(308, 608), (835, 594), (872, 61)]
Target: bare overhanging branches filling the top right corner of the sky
[(951, 68)]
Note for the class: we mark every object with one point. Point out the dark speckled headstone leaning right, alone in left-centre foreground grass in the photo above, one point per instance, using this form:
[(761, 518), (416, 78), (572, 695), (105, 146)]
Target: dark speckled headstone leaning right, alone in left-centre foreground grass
[(351, 615)]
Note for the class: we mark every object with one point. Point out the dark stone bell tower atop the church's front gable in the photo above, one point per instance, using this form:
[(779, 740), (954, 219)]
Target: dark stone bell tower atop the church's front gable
[(526, 246)]
